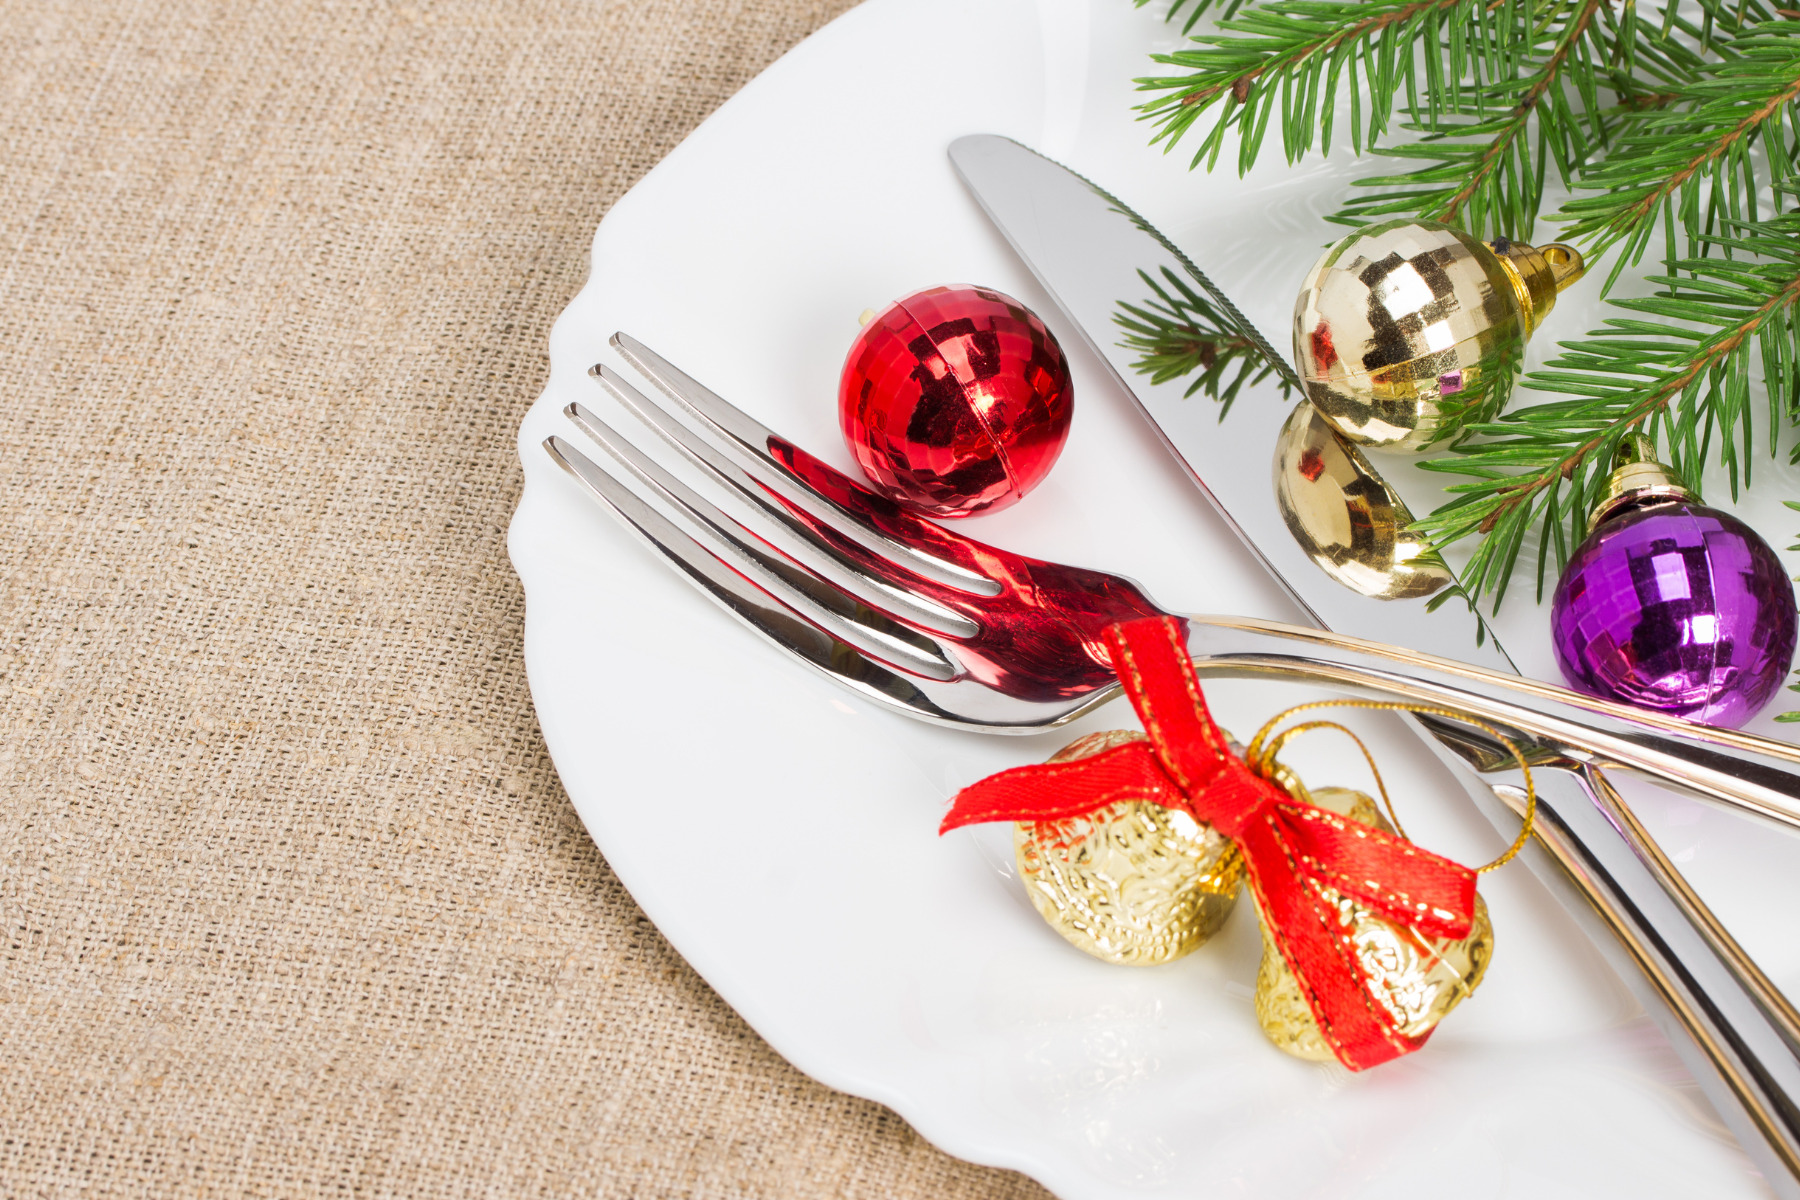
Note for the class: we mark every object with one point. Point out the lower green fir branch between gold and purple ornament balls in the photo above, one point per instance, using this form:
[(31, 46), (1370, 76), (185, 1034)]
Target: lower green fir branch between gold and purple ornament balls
[(1684, 377)]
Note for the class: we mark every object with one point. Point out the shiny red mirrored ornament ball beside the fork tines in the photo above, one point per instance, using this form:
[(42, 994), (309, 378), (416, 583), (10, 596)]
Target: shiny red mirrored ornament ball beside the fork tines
[(957, 402)]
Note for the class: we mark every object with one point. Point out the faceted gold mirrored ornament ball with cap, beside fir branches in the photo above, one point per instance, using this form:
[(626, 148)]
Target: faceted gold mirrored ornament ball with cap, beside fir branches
[(1407, 332)]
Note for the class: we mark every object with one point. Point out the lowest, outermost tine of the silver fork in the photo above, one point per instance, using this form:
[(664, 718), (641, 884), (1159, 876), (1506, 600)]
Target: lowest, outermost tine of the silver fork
[(750, 604)]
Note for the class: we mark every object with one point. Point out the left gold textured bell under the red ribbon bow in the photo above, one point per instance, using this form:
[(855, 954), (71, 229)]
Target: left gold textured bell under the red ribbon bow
[(1133, 882)]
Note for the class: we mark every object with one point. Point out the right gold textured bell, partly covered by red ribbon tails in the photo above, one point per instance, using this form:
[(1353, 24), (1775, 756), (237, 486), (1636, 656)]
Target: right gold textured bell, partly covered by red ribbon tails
[(1417, 980)]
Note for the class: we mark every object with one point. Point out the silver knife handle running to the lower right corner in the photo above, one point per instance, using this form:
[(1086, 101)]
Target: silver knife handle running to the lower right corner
[(1732, 1028)]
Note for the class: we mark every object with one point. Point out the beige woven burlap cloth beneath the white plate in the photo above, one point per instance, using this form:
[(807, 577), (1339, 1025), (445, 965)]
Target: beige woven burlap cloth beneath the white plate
[(292, 902)]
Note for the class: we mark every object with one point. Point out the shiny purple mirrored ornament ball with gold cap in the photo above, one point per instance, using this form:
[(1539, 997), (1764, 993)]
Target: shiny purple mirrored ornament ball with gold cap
[(1678, 609)]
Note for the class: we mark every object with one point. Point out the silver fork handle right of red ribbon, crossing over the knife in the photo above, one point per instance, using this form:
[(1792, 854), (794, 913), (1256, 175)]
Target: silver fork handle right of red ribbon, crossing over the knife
[(1745, 773)]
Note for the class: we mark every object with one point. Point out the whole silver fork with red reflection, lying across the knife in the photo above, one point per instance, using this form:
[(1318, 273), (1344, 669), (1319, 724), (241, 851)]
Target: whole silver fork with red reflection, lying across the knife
[(949, 631)]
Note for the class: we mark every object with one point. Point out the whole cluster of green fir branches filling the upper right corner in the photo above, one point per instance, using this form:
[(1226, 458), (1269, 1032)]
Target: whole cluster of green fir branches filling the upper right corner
[(1666, 129)]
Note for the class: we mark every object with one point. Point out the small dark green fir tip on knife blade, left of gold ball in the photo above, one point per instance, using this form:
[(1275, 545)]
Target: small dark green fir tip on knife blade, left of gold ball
[(1180, 332)]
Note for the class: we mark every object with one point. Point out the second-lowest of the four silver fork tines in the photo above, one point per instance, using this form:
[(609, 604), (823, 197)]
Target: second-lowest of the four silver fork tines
[(816, 600)]
